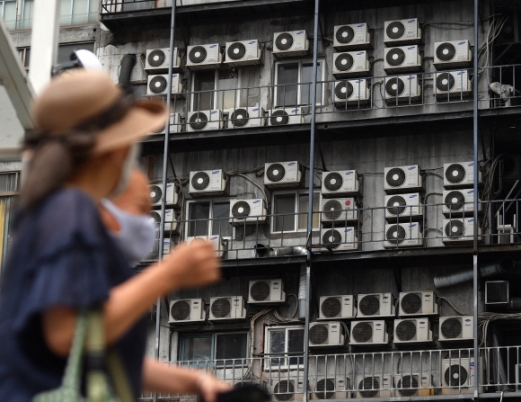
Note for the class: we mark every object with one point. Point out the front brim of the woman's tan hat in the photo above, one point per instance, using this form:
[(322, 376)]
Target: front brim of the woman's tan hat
[(143, 118)]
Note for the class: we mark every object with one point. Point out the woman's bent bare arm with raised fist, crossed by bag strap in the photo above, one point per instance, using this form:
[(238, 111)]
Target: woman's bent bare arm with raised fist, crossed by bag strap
[(189, 265)]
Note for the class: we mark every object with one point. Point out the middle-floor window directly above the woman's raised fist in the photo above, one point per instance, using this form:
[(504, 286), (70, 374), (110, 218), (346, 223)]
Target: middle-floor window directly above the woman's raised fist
[(206, 218)]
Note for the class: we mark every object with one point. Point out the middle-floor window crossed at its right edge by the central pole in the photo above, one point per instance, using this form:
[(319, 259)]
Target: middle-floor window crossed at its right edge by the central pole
[(291, 211)]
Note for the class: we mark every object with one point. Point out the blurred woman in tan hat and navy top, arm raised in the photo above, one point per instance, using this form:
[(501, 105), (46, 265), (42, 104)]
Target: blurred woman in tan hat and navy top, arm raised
[(62, 259)]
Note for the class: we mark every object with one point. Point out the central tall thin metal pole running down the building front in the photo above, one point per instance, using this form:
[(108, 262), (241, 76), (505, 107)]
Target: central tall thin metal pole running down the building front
[(310, 205)]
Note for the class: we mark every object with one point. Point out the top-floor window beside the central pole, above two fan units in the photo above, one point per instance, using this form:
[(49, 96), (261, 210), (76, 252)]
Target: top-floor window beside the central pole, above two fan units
[(293, 82)]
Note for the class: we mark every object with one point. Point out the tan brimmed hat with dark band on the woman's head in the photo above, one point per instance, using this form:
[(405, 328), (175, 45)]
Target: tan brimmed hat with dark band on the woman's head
[(75, 98)]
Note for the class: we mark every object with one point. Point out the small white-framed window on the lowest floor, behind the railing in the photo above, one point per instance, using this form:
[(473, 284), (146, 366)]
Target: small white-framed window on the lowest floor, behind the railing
[(287, 342)]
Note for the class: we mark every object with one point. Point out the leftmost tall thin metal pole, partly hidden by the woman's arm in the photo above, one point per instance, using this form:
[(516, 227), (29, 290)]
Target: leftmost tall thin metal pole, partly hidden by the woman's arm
[(164, 173)]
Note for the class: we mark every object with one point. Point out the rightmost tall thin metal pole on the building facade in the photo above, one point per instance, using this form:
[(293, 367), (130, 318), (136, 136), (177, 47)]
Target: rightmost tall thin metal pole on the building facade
[(476, 223)]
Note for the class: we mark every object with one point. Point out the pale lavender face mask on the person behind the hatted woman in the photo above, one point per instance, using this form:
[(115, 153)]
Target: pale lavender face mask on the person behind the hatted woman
[(137, 233)]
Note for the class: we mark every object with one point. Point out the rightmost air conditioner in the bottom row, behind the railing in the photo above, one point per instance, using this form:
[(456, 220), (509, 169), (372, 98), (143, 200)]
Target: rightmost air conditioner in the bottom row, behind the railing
[(458, 375)]
